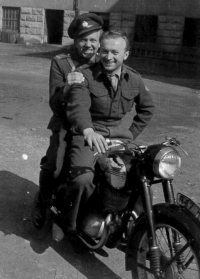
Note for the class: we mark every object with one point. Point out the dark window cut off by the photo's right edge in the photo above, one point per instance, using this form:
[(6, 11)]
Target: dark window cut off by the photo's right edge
[(191, 34)]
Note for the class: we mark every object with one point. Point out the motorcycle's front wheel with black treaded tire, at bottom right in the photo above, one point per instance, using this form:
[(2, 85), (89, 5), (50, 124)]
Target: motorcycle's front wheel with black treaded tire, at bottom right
[(187, 228)]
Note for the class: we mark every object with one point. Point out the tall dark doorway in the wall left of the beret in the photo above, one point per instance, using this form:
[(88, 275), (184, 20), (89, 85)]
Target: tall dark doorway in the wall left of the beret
[(54, 26)]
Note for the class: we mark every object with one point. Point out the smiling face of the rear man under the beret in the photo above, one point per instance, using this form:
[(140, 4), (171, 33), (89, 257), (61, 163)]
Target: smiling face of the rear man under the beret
[(88, 44)]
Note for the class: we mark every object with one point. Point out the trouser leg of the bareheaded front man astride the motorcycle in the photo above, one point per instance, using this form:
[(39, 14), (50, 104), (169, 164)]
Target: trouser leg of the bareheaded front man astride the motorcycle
[(80, 184)]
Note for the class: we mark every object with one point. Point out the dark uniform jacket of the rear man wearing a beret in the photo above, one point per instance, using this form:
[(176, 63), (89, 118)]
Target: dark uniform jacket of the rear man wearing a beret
[(60, 68)]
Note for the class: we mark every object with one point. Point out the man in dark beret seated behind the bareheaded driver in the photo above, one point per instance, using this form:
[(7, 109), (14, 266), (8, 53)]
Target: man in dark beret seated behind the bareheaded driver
[(85, 30)]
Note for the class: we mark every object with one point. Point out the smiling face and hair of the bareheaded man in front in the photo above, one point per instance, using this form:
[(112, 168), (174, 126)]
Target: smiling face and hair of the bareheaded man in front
[(112, 54)]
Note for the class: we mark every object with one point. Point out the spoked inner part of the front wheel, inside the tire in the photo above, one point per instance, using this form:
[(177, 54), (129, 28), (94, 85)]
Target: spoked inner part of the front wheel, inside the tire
[(170, 241)]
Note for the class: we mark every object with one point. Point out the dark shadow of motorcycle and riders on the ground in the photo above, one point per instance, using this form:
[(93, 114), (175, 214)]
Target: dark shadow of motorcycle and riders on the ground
[(16, 199)]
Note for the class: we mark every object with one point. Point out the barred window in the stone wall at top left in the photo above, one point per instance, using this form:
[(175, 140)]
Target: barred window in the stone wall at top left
[(11, 17)]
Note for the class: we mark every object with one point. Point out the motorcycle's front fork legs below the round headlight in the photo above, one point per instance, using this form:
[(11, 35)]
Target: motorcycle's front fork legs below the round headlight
[(154, 251)]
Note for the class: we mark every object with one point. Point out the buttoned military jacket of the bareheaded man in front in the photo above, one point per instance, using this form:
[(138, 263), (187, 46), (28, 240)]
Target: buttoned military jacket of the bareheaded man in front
[(94, 103)]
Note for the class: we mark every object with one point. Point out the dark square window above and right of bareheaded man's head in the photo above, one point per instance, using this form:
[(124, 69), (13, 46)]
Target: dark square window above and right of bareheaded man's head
[(145, 29)]
